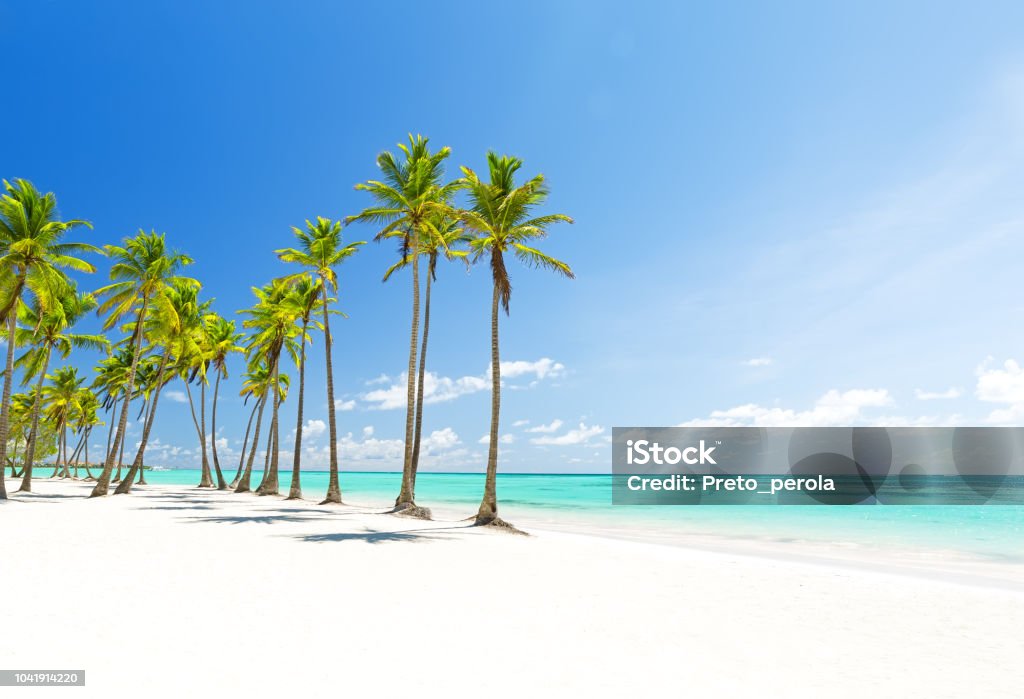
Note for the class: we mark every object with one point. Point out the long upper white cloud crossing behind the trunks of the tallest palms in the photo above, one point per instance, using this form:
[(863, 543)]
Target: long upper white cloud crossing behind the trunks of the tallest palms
[(439, 389)]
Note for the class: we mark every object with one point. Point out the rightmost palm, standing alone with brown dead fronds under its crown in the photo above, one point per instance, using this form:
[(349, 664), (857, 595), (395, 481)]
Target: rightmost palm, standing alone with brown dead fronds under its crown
[(501, 216)]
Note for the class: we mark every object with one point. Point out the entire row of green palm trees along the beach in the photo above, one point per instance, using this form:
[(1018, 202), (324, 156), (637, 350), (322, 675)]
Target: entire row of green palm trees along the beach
[(170, 334)]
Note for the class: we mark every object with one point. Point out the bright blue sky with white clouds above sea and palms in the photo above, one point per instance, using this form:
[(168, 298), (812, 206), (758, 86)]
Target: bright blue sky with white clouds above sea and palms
[(792, 214)]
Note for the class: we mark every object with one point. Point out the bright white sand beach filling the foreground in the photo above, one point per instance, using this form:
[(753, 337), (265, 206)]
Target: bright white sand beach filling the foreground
[(189, 593)]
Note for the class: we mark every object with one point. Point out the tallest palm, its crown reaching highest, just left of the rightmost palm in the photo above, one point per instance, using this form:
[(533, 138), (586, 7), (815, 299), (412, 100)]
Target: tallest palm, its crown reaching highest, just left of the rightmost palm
[(409, 200)]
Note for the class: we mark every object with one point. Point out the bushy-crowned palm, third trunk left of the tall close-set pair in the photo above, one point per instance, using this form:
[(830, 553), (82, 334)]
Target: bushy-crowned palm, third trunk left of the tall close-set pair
[(273, 323)]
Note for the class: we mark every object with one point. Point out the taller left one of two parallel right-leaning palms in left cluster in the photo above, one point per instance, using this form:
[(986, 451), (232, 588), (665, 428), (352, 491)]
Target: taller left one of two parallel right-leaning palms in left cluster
[(143, 269)]
